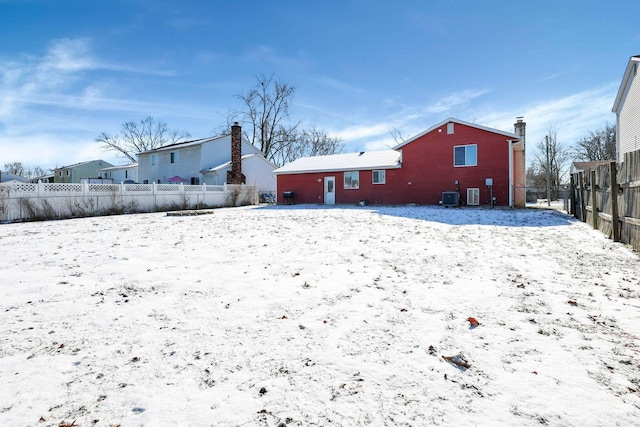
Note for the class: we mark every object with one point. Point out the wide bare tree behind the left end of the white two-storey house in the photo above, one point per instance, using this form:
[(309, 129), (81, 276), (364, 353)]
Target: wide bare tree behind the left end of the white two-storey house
[(135, 138)]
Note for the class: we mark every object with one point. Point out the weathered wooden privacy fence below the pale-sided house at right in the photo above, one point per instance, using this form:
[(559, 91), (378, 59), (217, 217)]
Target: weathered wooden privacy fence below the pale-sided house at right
[(608, 198)]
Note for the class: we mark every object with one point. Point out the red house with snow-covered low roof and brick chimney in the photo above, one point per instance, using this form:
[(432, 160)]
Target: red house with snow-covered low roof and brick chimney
[(471, 164)]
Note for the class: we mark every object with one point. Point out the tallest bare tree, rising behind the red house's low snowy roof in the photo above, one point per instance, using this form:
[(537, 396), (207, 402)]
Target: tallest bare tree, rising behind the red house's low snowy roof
[(267, 124)]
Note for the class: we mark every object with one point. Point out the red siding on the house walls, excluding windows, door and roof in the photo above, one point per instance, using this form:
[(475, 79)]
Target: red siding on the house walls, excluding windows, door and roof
[(427, 170)]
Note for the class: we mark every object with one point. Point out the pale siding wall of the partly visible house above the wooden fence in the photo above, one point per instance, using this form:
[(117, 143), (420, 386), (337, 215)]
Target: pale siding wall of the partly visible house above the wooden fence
[(629, 116)]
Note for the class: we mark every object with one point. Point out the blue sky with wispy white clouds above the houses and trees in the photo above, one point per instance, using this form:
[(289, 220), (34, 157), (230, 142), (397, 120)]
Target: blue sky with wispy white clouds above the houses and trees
[(70, 70)]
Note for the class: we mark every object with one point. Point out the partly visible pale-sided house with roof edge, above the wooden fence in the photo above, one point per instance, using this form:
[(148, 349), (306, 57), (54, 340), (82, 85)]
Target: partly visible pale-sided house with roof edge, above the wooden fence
[(627, 109)]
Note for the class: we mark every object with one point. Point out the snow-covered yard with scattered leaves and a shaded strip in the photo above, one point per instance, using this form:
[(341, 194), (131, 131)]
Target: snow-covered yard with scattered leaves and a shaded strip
[(306, 315)]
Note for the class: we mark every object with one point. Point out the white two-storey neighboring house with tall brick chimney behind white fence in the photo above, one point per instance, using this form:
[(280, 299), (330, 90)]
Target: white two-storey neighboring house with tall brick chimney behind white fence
[(208, 161)]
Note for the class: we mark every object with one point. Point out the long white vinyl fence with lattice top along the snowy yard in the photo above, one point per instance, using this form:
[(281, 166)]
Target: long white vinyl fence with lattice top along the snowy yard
[(19, 201)]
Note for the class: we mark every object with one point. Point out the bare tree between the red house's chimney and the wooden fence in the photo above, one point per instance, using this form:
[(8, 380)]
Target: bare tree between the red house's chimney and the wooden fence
[(552, 156)]
